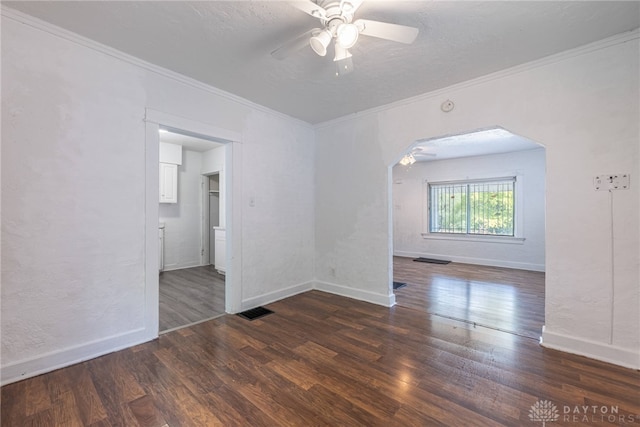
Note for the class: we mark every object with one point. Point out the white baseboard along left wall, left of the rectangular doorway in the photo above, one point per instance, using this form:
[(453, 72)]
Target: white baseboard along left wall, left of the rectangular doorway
[(51, 361)]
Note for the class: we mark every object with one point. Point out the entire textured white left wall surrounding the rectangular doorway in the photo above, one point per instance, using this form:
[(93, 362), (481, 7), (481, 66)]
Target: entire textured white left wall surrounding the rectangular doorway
[(74, 194)]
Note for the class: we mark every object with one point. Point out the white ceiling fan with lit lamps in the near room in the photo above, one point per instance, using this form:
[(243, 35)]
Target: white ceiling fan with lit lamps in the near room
[(338, 25)]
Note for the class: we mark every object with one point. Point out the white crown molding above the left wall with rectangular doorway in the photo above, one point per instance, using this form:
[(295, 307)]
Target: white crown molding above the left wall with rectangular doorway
[(54, 30)]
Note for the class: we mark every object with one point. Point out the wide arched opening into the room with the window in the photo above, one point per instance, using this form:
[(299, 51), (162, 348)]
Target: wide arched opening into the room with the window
[(489, 270)]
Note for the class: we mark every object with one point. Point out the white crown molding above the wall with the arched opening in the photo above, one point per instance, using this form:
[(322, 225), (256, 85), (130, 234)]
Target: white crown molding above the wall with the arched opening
[(548, 60)]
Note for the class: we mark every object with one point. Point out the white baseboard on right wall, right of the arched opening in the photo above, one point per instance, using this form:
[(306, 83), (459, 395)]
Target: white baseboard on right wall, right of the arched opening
[(595, 350)]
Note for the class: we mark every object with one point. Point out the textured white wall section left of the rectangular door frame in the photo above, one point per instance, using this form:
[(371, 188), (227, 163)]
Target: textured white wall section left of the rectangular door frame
[(73, 197)]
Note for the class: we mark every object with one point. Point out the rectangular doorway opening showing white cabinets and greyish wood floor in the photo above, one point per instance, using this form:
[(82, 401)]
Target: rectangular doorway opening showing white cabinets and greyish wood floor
[(191, 284)]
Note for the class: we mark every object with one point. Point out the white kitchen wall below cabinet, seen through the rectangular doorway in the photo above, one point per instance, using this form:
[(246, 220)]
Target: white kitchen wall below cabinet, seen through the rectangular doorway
[(183, 220)]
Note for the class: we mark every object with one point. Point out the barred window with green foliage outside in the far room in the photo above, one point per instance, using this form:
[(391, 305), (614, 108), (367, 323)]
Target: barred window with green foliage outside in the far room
[(482, 207)]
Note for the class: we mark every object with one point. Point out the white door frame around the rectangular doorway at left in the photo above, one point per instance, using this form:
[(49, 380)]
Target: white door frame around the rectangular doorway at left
[(233, 161)]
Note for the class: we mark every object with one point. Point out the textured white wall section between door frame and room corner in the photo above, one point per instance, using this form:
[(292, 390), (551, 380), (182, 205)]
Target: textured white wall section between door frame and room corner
[(281, 240)]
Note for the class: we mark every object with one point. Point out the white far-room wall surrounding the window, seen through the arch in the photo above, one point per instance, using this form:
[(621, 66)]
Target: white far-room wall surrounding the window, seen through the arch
[(409, 202)]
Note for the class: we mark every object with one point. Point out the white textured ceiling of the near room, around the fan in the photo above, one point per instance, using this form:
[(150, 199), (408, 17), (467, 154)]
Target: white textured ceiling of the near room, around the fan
[(227, 44)]
